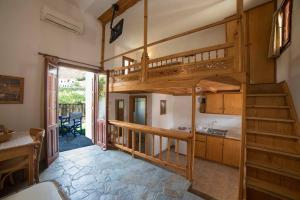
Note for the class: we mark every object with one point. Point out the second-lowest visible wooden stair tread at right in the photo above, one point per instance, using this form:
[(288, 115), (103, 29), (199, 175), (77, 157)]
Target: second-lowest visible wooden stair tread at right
[(272, 169)]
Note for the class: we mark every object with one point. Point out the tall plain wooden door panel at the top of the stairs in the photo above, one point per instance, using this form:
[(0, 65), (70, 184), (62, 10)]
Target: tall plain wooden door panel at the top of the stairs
[(262, 69)]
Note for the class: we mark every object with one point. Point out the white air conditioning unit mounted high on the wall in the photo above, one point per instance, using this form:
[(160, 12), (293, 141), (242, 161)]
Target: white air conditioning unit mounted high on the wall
[(49, 15)]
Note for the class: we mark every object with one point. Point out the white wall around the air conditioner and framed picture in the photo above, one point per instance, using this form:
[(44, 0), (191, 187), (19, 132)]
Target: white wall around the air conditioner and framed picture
[(23, 35)]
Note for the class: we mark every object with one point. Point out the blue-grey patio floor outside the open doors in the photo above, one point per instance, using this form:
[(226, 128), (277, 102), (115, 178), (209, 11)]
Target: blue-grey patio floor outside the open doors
[(69, 142)]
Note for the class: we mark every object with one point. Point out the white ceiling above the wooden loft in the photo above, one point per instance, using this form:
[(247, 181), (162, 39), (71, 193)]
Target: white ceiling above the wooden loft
[(166, 17)]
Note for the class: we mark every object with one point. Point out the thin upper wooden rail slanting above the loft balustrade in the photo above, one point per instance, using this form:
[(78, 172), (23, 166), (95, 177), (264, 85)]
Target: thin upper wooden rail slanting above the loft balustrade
[(224, 21)]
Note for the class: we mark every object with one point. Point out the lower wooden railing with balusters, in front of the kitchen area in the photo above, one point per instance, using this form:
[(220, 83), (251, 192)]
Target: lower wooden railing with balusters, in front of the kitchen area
[(147, 142)]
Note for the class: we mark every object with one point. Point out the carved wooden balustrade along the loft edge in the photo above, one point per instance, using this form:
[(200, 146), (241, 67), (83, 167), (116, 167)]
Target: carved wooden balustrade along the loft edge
[(208, 59)]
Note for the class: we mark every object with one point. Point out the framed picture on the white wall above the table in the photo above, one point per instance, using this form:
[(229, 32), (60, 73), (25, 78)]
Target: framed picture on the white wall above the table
[(11, 90)]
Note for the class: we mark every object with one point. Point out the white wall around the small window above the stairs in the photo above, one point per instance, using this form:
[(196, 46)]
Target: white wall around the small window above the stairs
[(288, 64)]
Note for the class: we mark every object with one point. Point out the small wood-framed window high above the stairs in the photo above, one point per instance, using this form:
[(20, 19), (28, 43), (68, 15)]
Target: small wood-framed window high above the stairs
[(281, 29)]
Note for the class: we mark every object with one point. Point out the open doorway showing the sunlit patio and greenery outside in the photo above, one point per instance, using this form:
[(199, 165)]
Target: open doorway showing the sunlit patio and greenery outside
[(75, 104)]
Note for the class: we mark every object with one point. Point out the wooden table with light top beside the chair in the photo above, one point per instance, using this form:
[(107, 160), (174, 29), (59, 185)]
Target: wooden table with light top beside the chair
[(20, 144)]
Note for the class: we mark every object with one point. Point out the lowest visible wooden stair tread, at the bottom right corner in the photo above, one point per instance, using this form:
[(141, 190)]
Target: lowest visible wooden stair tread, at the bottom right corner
[(272, 189)]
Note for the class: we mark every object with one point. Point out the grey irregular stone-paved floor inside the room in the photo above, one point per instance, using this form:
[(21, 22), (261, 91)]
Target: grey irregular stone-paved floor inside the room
[(90, 173)]
